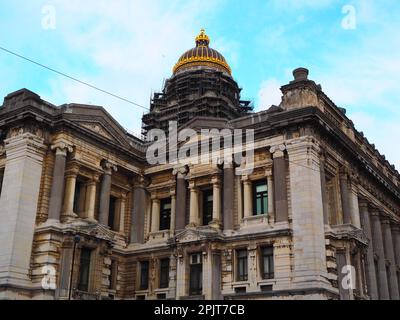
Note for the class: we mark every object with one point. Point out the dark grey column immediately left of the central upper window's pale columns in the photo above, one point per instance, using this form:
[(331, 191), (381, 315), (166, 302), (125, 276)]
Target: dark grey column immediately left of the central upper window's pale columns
[(181, 188)]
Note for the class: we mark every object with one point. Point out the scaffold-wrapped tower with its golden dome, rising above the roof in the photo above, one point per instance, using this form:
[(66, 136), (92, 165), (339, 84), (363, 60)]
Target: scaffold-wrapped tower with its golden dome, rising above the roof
[(201, 86)]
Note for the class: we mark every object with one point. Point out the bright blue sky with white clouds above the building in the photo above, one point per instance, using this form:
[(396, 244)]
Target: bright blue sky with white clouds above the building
[(129, 48)]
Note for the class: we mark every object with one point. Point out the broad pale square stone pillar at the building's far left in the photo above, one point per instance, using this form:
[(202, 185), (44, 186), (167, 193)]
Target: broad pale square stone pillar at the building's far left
[(18, 209)]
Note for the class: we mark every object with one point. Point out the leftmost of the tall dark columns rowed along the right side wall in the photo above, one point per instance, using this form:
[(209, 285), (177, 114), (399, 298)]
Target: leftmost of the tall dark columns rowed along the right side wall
[(370, 264)]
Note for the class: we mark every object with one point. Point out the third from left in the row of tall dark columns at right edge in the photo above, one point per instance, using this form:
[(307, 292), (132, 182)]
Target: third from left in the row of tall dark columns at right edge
[(389, 254)]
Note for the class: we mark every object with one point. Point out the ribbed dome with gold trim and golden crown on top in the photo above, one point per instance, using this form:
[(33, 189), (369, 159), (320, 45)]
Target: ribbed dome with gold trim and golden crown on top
[(202, 55)]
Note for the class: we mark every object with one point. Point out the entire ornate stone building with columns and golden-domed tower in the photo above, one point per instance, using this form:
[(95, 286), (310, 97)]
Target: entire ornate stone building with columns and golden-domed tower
[(83, 215)]
